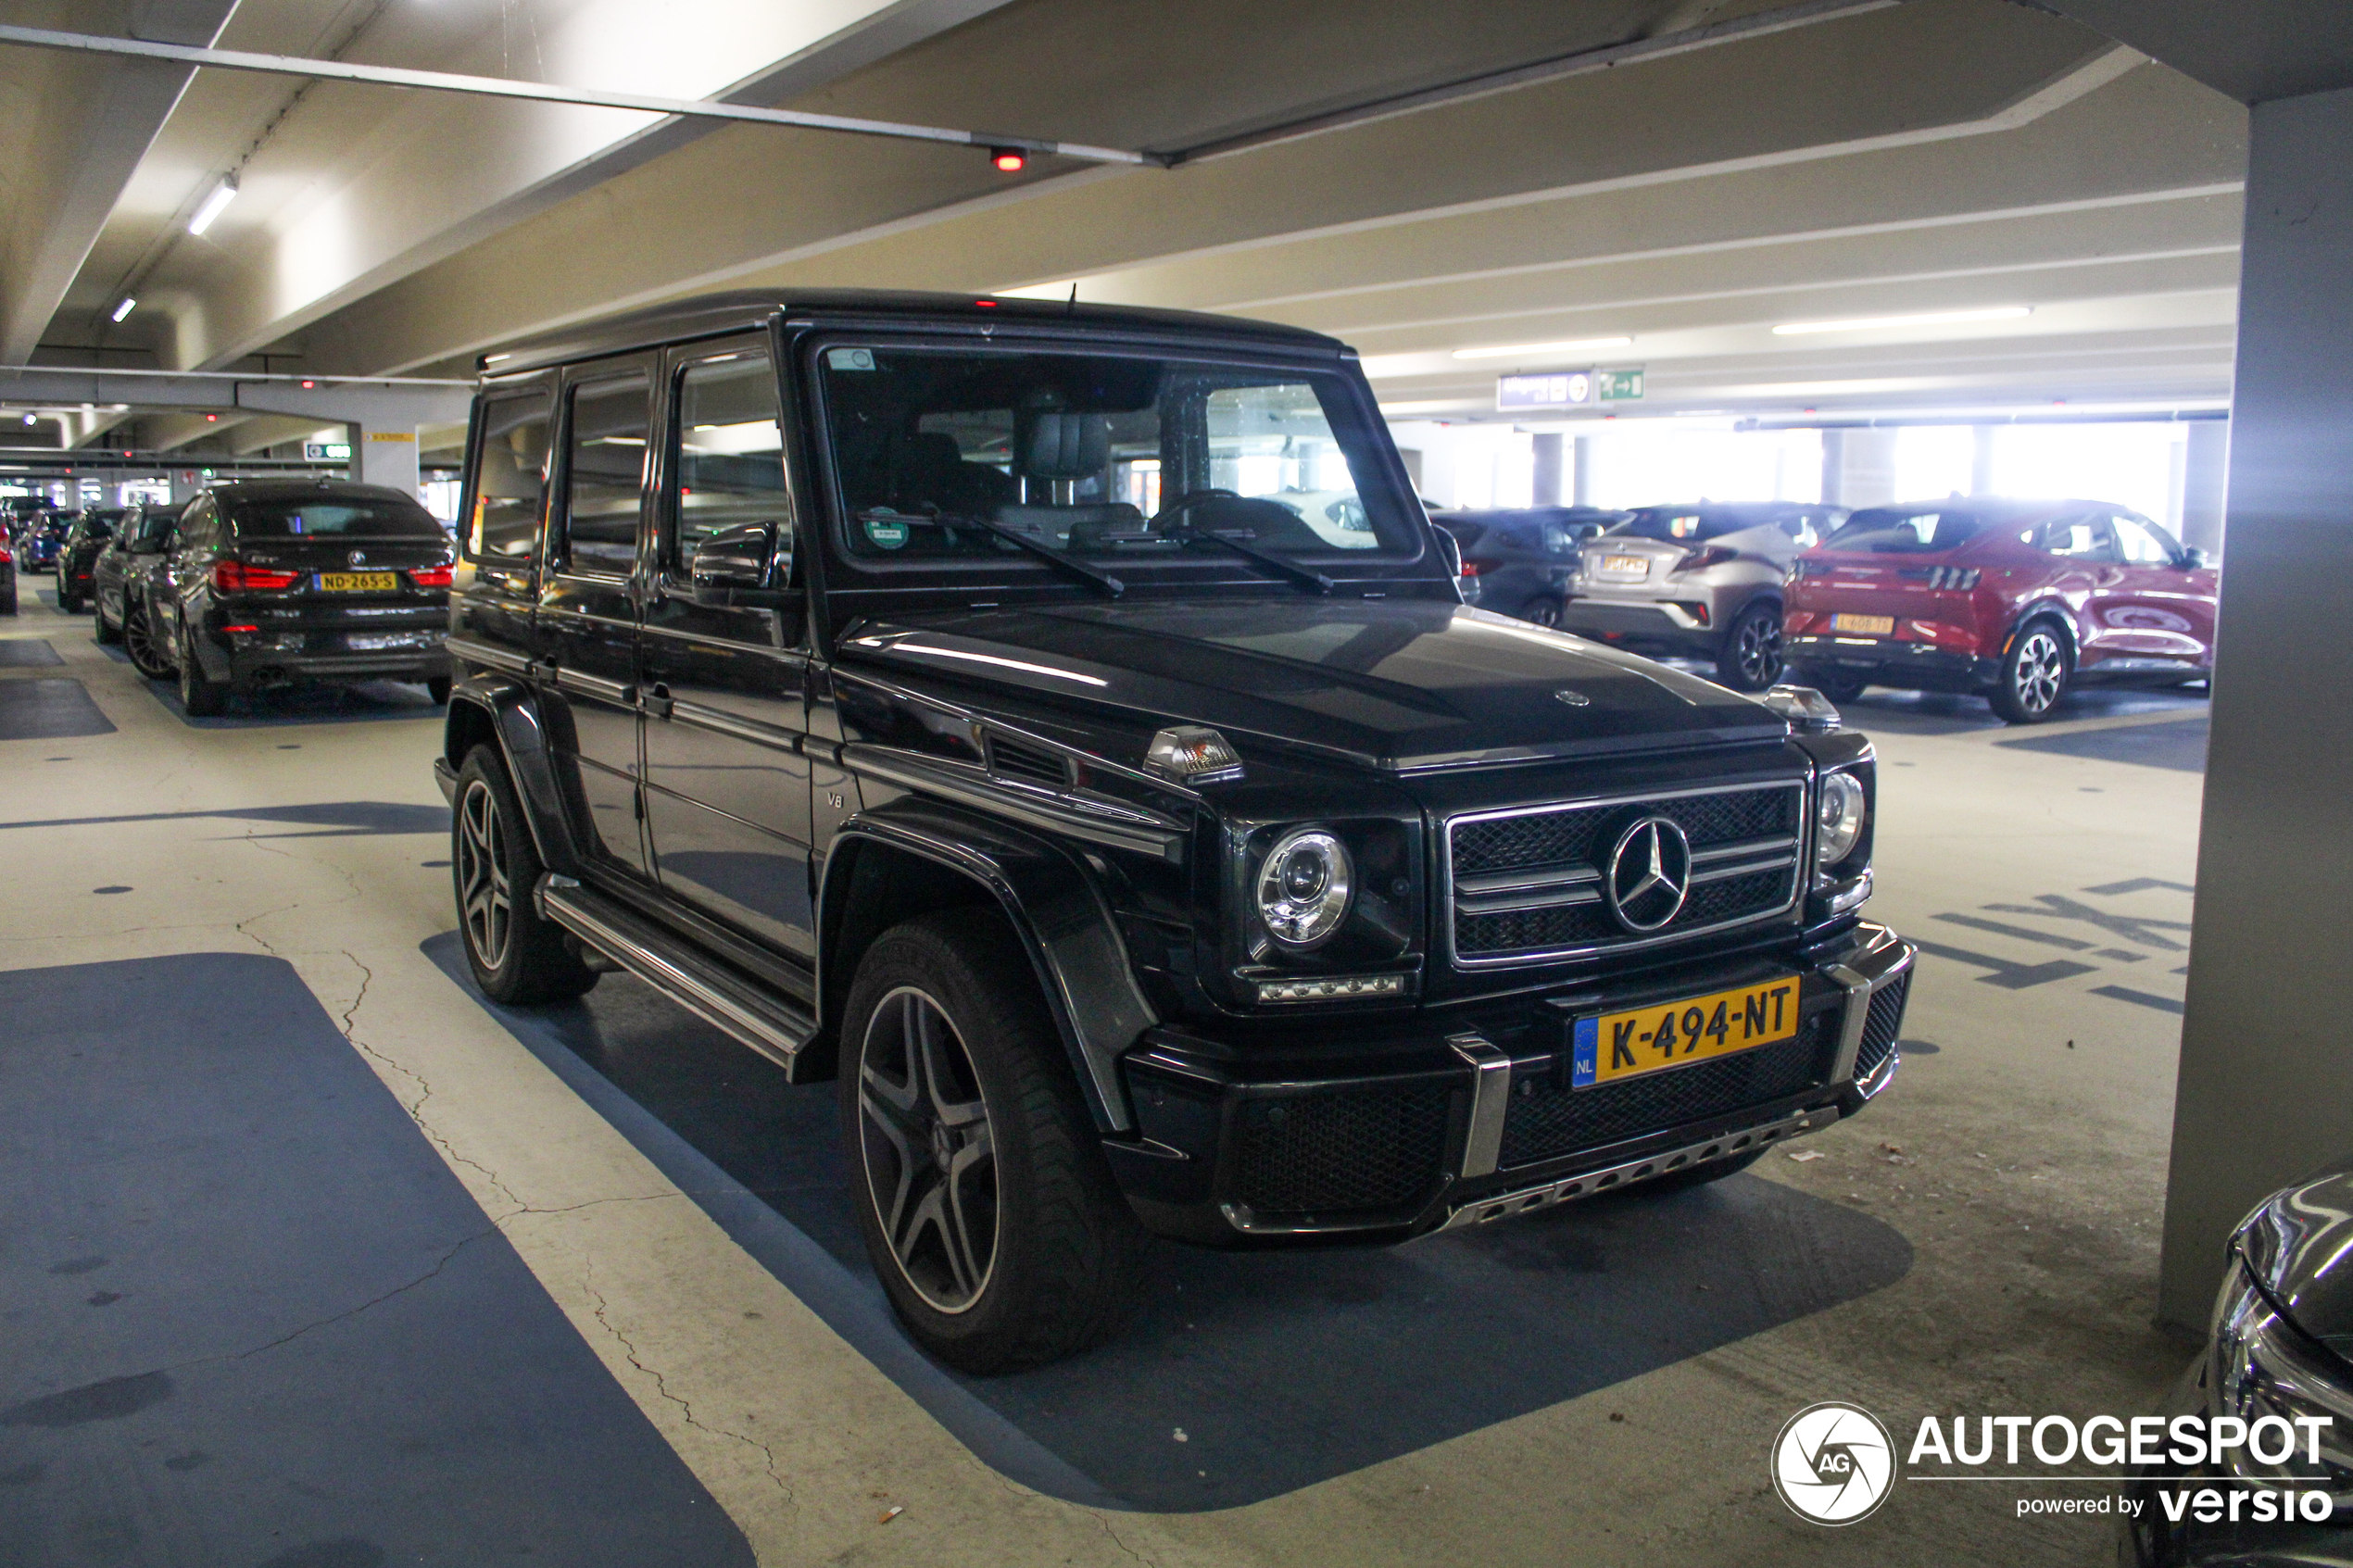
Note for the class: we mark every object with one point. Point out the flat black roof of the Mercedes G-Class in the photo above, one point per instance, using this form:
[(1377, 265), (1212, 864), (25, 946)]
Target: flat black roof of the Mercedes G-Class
[(716, 314)]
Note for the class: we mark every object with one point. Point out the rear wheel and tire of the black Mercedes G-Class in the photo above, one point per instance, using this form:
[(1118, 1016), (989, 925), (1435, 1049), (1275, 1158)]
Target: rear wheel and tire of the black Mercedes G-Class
[(516, 956)]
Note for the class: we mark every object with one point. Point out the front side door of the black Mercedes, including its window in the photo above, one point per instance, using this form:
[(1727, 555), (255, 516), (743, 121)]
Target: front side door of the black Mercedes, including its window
[(726, 688)]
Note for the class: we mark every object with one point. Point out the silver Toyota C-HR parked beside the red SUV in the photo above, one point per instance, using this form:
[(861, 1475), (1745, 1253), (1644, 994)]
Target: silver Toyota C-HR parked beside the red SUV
[(1698, 582)]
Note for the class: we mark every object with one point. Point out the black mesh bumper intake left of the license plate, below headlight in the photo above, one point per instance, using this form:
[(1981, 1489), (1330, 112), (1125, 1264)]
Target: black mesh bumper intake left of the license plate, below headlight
[(1364, 1148)]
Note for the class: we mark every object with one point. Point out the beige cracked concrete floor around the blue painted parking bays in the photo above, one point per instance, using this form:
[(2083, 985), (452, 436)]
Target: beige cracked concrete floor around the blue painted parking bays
[(2022, 1160)]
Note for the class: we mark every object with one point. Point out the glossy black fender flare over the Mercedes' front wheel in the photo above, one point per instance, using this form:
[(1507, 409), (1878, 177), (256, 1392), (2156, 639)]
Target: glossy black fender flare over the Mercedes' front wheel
[(1051, 899)]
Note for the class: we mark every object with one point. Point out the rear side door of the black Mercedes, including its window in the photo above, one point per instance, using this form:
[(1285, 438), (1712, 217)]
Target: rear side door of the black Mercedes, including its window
[(589, 605)]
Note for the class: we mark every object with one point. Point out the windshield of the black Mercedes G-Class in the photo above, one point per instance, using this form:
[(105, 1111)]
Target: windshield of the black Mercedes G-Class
[(1102, 457)]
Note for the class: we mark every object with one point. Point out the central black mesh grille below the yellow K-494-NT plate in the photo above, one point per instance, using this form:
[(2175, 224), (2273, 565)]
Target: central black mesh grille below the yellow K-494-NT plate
[(1549, 1120)]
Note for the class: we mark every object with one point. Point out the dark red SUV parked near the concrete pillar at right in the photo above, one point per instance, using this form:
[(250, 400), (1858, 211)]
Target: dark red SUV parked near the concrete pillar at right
[(2020, 601)]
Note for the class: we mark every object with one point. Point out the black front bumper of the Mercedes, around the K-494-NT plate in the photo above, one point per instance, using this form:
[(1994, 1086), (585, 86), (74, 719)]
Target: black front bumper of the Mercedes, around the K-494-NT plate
[(1241, 1148)]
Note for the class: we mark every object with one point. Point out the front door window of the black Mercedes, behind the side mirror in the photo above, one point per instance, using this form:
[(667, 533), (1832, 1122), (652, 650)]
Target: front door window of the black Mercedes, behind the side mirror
[(731, 455)]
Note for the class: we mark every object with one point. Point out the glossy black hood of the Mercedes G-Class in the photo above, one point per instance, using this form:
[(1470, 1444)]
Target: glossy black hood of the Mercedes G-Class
[(1378, 683)]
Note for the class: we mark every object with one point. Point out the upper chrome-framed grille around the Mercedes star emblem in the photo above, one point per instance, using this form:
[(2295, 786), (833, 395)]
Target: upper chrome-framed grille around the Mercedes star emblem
[(1575, 840)]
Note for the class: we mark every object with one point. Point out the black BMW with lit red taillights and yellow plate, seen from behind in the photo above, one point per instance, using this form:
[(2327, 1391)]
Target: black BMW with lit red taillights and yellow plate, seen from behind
[(300, 579)]
